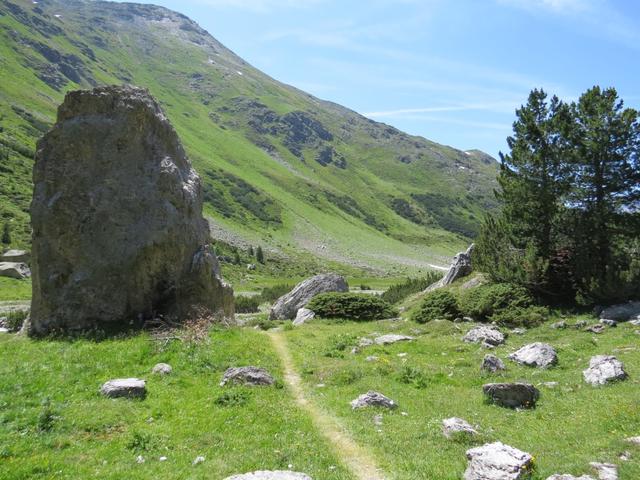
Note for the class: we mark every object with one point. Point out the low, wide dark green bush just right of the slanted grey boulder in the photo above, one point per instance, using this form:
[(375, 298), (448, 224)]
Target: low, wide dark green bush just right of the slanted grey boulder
[(352, 306)]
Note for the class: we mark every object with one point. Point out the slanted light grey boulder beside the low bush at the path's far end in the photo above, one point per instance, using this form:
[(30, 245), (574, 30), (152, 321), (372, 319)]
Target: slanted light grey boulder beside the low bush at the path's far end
[(287, 306)]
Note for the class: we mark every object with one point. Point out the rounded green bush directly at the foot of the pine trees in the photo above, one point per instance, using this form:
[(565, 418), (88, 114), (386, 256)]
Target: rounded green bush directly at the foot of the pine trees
[(482, 302)]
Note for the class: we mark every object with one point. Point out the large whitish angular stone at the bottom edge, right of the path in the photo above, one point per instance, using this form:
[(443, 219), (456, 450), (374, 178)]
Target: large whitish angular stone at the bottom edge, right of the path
[(497, 461)]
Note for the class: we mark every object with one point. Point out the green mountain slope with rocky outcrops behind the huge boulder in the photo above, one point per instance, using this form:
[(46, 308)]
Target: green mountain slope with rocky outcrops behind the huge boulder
[(279, 166)]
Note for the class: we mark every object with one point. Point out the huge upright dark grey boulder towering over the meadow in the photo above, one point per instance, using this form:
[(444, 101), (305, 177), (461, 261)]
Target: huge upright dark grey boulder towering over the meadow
[(118, 231)]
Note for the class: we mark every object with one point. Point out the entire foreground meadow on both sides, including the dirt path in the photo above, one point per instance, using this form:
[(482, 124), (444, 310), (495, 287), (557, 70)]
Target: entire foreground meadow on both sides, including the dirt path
[(54, 424)]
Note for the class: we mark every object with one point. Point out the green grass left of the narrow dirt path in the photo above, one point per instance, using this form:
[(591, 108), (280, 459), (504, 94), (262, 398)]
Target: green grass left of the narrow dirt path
[(54, 424)]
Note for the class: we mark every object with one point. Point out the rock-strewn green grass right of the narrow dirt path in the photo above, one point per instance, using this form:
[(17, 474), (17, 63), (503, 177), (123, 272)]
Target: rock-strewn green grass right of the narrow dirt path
[(573, 424)]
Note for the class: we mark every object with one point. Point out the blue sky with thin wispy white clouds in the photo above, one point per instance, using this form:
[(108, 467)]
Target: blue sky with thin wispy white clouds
[(452, 71)]
